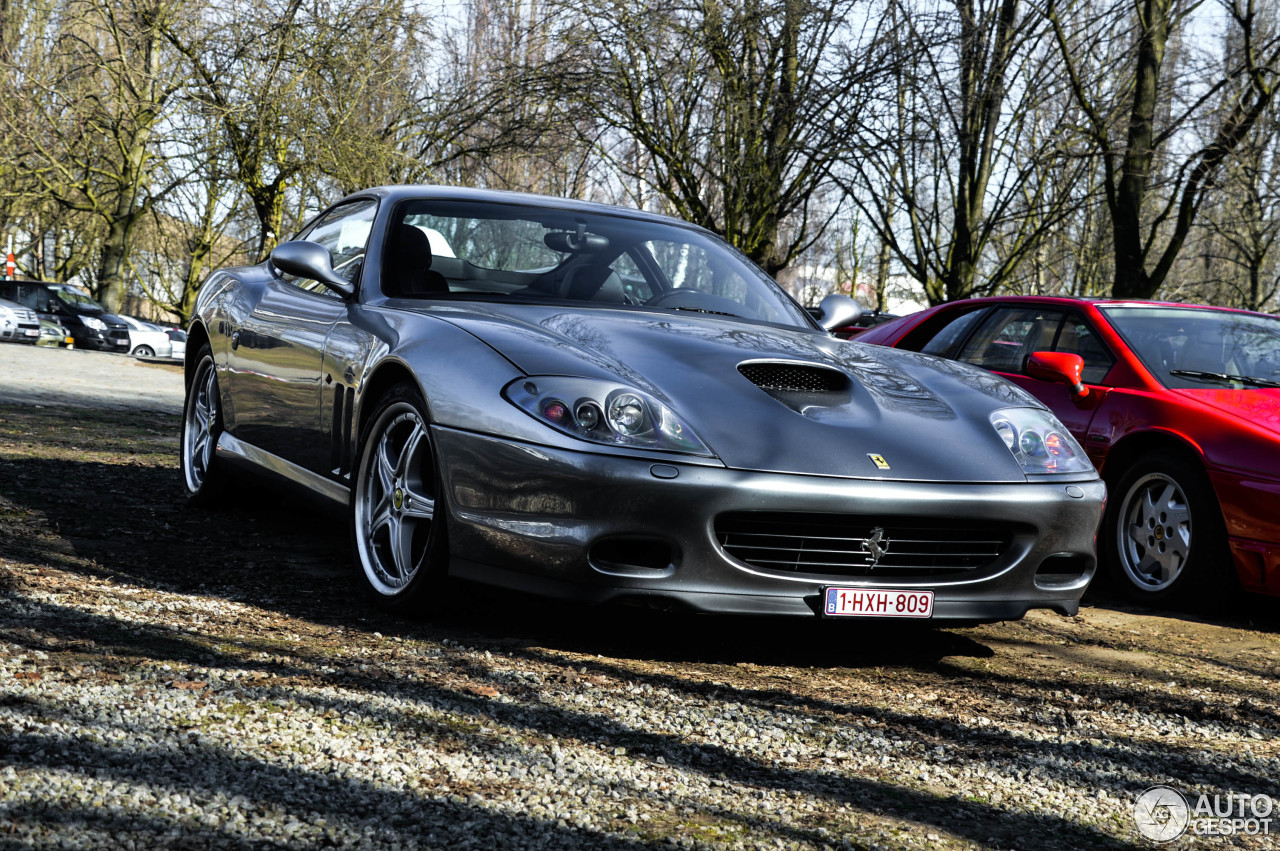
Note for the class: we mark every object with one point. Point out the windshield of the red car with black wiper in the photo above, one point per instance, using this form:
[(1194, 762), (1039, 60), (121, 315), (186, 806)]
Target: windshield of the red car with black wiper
[(1188, 347)]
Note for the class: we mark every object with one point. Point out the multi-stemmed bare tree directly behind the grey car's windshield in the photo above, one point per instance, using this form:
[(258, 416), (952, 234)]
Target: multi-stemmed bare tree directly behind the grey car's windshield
[(729, 115)]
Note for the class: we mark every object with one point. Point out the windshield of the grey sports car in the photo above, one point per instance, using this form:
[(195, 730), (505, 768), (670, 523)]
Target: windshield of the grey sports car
[(502, 251)]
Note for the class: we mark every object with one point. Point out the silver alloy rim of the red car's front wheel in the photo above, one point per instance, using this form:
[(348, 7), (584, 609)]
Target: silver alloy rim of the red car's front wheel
[(1154, 534)]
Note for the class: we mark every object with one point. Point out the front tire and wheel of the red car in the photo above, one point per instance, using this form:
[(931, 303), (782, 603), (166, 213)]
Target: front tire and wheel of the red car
[(1164, 537)]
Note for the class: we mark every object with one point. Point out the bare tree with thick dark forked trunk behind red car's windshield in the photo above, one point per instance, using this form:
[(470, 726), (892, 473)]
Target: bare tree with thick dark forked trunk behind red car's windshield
[(1164, 132)]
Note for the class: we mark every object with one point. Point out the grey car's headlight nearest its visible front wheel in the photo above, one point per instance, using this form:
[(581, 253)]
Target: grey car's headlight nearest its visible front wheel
[(605, 413)]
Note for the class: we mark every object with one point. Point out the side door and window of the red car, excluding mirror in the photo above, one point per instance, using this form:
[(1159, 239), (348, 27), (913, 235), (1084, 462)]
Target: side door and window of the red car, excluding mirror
[(1012, 333)]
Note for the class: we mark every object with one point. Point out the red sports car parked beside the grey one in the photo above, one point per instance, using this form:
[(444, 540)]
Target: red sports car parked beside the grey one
[(1178, 406)]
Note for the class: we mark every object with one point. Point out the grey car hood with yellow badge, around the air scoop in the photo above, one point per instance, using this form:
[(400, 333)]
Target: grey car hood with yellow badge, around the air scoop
[(927, 418)]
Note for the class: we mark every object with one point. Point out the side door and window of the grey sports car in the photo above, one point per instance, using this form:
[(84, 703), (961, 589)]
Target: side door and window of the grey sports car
[(277, 350)]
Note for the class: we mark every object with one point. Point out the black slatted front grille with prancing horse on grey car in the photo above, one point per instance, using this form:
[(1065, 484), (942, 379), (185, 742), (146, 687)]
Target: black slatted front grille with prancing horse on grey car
[(860, 546)]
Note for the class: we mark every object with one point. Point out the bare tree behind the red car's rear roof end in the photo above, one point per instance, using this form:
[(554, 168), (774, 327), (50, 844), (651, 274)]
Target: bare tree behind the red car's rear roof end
[(948, 163)]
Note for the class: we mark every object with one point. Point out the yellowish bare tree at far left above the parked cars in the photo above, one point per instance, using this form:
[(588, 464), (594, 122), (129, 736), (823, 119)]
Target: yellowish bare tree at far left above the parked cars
[(88, 118)]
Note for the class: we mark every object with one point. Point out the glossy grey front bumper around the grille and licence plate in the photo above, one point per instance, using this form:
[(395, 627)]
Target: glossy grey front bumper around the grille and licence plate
[(561, 524)]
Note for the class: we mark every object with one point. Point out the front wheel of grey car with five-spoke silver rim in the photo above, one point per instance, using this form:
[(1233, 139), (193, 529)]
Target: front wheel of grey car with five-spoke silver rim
[(399, 521)]
